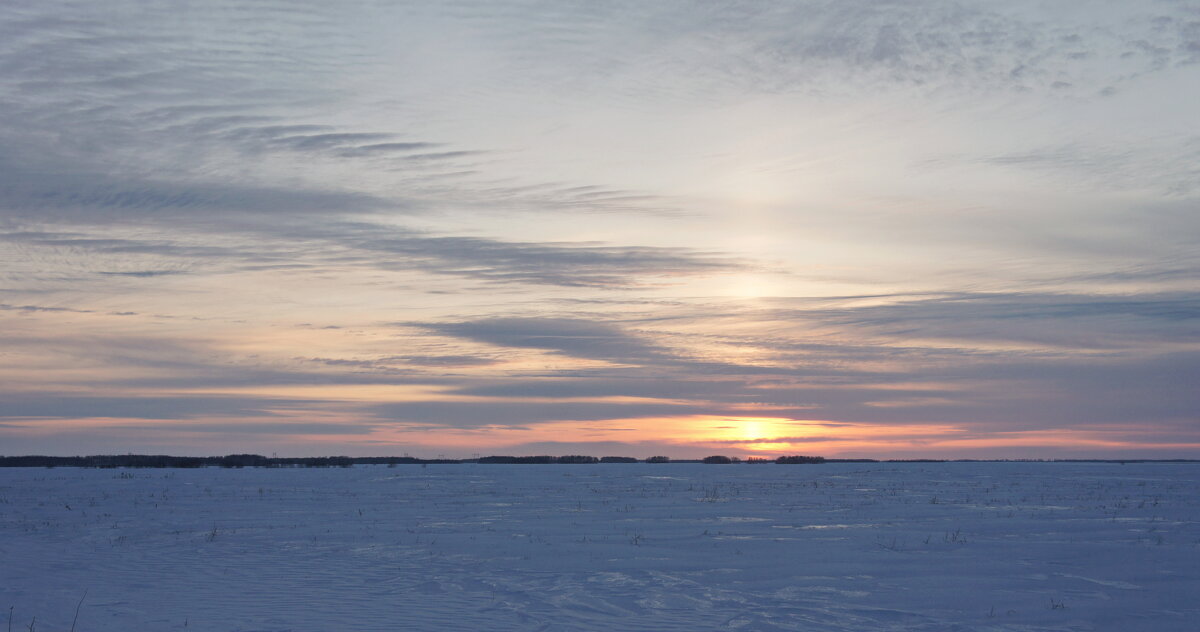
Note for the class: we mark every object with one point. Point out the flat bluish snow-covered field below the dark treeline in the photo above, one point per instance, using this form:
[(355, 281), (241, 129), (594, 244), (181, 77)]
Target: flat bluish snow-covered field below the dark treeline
[(933, 547)]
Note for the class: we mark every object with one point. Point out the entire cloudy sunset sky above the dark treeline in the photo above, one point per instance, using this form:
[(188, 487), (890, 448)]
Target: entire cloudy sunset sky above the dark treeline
[(889, 230)]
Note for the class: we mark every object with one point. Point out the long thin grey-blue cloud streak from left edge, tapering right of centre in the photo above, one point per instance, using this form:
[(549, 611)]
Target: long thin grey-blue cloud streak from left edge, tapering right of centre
[(376, 246)]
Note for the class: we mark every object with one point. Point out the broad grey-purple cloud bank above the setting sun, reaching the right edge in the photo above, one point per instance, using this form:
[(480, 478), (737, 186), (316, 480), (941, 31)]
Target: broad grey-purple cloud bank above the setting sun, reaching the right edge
[(1088, 359)]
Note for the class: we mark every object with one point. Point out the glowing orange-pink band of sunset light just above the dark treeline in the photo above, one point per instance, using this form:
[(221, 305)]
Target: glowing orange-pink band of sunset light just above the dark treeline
[(687, 437)]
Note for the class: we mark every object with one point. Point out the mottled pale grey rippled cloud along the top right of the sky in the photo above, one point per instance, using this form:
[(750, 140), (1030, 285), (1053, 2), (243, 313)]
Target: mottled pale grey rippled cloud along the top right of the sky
[(836, 47)]
